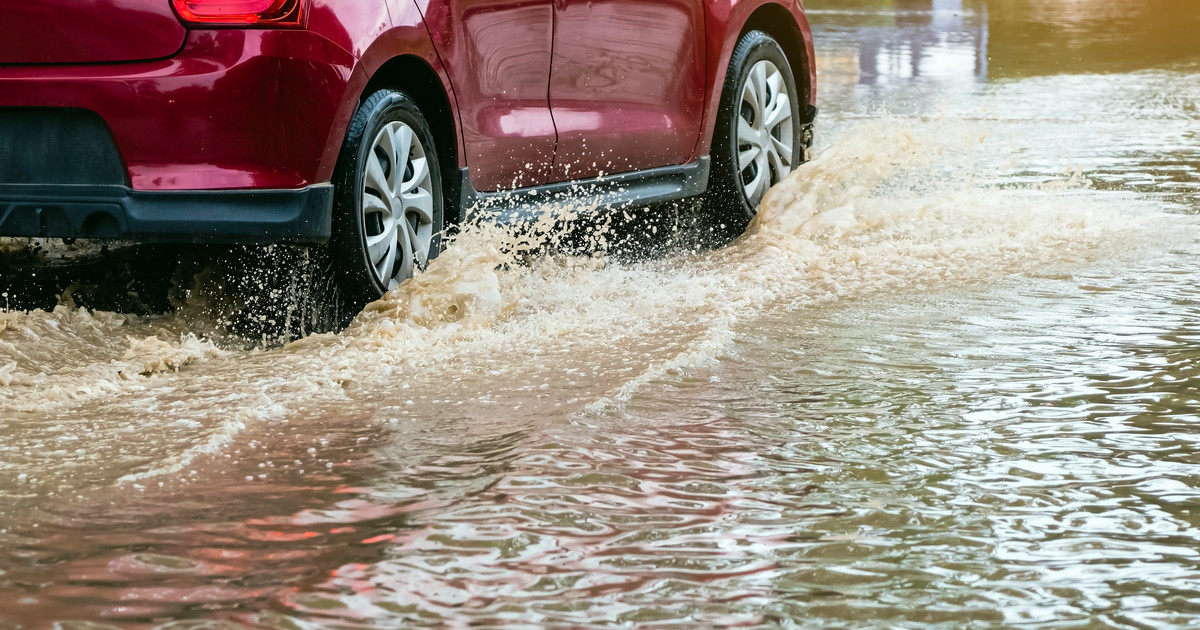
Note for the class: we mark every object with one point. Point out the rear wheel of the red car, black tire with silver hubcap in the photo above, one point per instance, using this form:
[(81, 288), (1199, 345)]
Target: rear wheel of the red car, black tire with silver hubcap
[(388, 206)]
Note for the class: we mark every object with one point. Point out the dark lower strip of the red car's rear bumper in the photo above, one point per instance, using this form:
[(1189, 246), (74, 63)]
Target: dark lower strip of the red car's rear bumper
[(109, 212)]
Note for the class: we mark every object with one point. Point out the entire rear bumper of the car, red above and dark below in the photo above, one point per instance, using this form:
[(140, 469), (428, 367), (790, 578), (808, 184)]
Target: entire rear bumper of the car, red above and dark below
[(231, 141)]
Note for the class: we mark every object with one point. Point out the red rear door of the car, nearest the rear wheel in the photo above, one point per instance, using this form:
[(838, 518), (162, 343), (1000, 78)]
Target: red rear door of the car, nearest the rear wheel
[(497, 53)]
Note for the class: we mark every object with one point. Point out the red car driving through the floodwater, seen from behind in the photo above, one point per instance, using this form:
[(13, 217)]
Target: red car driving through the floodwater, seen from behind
[(367, 127)]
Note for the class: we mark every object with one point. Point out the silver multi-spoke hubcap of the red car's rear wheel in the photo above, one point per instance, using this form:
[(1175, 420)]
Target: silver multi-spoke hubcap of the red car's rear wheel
[(398, 206)]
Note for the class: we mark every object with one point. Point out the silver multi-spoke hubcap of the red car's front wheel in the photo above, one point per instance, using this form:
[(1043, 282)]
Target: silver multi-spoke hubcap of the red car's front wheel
[(765, 131)]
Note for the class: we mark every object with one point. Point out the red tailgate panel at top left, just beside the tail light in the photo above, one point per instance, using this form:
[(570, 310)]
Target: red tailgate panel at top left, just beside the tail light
[(95, 32)]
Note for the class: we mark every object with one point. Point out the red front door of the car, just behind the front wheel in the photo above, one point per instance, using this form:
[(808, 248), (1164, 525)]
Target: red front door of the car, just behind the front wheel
[(627, 88)]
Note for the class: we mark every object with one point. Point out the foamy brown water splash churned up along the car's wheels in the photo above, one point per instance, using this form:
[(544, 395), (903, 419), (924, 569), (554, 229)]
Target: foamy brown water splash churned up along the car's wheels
[(887, 206)]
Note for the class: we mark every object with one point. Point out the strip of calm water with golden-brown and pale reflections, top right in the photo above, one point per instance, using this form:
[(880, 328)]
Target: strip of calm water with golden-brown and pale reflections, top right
[(1009, 39)]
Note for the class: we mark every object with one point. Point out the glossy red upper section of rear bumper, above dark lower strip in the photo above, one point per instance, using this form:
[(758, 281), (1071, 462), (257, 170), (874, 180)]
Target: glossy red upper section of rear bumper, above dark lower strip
[(236, 109)]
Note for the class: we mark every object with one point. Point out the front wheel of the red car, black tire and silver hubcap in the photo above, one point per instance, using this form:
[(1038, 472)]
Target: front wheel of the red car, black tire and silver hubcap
[(758, 70)]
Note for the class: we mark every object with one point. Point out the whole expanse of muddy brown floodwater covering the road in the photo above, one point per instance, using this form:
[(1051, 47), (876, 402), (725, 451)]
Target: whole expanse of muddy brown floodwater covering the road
[(950, 379)]
